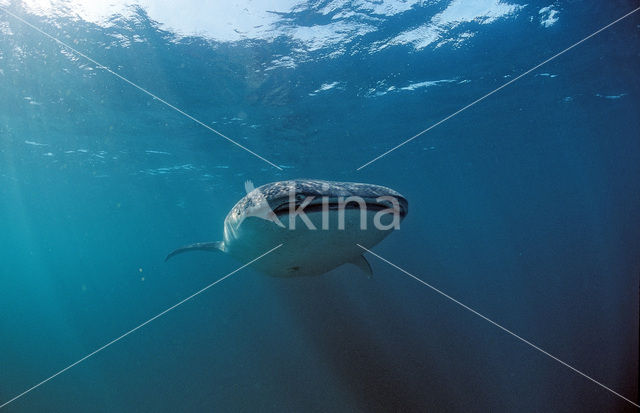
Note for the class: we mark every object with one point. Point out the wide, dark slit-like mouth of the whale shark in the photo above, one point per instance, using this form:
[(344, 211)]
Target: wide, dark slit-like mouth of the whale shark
[(325, 205)]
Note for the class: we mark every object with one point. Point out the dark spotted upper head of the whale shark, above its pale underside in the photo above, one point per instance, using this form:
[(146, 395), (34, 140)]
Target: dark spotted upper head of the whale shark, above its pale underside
[(305, 197)]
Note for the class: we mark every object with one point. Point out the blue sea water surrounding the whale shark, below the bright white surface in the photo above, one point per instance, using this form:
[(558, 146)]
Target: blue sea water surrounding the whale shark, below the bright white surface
[(525, 207)]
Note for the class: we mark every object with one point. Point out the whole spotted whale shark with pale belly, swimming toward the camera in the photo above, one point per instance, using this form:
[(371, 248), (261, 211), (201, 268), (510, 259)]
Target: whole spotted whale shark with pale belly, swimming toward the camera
[(319, 224)]
